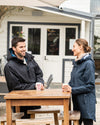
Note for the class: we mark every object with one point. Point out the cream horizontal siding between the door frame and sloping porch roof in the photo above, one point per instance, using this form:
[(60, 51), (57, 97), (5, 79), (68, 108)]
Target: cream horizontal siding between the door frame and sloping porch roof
[(28, 15)]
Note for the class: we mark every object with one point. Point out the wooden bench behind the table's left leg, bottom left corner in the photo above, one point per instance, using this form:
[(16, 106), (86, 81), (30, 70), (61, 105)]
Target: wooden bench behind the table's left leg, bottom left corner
[(14, 117)]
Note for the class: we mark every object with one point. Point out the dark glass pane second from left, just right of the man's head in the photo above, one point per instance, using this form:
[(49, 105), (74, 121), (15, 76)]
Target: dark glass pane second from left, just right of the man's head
[(34, 40)]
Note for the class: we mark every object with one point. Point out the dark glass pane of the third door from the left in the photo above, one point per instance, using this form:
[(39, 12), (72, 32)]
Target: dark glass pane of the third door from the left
[(52, 41)]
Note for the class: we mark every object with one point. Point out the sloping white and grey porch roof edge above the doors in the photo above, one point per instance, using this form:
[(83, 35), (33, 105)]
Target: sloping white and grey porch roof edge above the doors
[(66, 12)]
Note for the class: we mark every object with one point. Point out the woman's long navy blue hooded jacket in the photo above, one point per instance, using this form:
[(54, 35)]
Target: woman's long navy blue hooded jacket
[(83, 87)]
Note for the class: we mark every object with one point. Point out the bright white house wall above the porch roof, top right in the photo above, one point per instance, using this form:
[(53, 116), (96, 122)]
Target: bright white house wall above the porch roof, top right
[(80, 5)]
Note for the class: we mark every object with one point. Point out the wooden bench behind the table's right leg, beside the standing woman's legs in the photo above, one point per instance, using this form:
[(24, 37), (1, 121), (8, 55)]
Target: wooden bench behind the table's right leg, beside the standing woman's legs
[(73, 116)]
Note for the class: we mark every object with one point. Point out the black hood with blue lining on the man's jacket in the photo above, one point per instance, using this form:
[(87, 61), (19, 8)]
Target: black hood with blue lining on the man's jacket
[(12, 56)]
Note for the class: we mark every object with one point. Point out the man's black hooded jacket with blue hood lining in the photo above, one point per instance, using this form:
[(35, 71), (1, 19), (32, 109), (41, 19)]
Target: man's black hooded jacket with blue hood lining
[(20, 76)]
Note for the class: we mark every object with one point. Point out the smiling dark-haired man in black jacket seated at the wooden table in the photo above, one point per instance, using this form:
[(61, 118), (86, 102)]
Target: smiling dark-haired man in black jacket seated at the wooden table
[(21, 71)]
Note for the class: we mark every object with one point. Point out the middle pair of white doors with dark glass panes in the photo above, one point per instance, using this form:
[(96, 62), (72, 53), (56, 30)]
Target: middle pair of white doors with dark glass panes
[(44, 43)]
